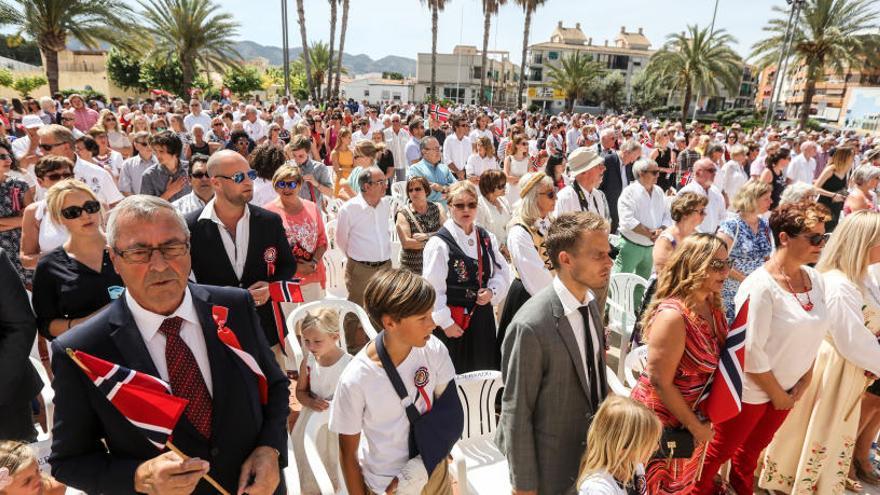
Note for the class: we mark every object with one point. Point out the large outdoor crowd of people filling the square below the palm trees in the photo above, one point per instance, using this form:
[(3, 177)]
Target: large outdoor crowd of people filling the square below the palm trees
[(477, 240)]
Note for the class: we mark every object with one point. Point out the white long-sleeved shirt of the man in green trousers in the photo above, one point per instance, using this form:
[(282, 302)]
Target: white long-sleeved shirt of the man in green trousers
[(636, 206)]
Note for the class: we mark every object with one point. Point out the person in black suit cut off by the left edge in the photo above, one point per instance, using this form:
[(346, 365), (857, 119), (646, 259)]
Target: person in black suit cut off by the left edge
[(19, 381)]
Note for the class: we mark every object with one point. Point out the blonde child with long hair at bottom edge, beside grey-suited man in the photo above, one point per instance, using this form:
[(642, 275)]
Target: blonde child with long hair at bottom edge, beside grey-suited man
[(622, 437)]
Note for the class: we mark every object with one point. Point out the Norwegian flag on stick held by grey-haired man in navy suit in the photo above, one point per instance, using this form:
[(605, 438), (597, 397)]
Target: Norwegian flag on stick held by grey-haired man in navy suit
[(144, 400)]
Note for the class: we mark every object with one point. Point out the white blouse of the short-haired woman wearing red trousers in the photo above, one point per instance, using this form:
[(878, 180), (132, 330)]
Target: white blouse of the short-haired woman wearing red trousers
[(781, 336)]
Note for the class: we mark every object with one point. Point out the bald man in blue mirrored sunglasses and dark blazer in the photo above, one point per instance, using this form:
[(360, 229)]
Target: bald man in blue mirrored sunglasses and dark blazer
[(237, 244)]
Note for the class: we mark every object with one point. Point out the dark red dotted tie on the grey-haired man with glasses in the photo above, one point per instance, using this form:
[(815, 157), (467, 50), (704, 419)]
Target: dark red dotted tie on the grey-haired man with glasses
[(186, 377)]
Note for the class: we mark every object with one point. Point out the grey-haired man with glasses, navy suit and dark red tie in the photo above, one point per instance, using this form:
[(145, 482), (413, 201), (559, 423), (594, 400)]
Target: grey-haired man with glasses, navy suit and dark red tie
[(163, 326)]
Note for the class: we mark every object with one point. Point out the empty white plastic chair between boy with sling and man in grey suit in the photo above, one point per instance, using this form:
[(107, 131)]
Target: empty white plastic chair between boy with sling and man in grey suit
[(478, 466)]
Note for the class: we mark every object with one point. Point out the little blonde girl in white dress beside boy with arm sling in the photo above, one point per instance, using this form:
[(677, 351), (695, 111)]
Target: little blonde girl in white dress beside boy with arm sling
[(318, 375)]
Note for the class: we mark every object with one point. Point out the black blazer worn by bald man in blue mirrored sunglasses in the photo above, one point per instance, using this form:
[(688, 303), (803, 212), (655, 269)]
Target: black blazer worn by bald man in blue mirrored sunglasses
[(211, 266)]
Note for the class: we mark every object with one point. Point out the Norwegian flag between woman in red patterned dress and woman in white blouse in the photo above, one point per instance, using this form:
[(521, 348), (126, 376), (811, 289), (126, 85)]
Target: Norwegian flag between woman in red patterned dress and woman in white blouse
[(724, 400)]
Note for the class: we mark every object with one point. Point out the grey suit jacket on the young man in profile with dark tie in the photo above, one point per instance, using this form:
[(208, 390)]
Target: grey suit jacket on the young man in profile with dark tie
[(545, 405)]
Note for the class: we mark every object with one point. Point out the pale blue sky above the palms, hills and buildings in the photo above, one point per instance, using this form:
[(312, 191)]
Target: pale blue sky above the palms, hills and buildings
[(403, 27)]
